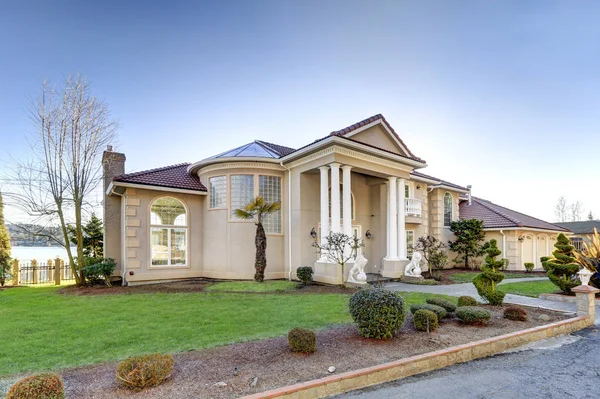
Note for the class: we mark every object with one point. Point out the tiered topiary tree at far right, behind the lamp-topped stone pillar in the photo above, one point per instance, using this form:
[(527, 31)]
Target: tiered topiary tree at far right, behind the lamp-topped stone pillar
[(562, 268)]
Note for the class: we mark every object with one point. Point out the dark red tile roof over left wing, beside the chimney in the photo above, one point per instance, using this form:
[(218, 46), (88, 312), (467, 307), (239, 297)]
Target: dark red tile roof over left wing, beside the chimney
[(174, 176)]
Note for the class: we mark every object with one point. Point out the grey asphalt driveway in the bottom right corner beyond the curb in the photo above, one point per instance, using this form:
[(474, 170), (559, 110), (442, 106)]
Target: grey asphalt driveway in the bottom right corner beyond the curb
[(563, 367)]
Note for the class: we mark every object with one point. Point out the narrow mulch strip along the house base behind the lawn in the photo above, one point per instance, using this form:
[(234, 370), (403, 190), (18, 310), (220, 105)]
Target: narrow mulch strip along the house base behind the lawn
[(193, 286)]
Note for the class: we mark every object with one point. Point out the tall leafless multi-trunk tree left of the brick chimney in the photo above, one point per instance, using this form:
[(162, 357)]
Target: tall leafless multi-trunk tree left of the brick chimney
[(72, 128)]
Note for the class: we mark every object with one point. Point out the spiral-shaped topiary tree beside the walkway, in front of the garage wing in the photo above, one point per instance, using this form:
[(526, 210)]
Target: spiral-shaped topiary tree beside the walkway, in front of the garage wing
[(486, 281)]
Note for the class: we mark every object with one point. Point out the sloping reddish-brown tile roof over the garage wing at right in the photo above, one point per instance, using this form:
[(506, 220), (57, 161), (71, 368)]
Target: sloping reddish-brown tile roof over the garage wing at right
[(496, 216)]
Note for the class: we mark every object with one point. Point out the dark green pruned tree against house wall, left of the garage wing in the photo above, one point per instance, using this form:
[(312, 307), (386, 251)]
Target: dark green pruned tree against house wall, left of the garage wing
[(469, 235)]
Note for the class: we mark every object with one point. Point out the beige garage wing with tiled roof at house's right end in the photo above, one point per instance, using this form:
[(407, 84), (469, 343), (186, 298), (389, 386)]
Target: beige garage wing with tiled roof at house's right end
[(521, 238)]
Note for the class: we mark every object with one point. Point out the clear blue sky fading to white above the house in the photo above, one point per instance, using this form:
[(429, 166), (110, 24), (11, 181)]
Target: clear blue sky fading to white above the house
[(503, 95)]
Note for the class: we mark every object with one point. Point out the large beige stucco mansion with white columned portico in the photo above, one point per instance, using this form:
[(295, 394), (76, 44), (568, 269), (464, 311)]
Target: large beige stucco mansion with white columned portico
[(178, 221)]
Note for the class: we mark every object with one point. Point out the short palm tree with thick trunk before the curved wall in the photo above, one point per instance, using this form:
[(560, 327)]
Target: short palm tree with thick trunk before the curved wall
[(257, 209)]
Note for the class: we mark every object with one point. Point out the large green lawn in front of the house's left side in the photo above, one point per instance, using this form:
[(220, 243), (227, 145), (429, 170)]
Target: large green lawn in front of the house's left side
[(44, 330)]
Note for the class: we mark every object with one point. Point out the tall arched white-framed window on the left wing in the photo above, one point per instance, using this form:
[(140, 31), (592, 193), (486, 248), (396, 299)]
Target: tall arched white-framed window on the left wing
[(168, 228)]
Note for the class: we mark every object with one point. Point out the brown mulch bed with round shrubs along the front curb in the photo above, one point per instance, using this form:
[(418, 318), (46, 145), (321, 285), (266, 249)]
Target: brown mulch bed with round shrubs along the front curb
[(197, 372)]
